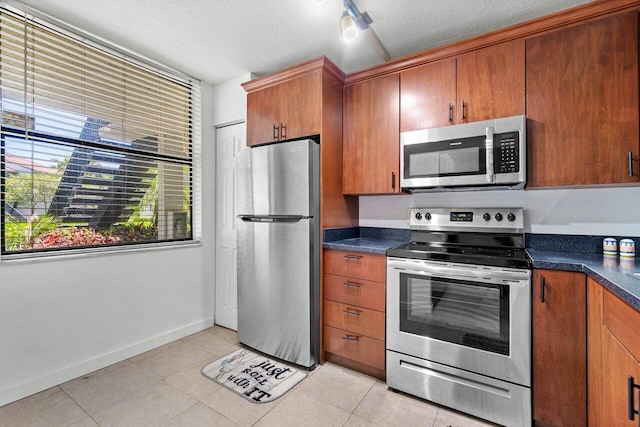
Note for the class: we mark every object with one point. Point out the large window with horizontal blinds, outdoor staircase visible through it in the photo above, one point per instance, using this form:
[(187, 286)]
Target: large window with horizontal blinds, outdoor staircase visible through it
[(97, 148)]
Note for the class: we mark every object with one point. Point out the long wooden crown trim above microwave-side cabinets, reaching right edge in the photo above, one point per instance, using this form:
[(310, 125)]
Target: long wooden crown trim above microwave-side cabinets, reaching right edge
[(526, 29)]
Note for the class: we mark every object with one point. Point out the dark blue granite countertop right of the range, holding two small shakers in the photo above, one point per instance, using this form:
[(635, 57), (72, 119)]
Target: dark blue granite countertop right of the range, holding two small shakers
[(614, 273)]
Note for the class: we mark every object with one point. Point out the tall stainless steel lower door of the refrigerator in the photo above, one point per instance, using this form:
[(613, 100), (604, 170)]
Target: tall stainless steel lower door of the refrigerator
[(278, 288)]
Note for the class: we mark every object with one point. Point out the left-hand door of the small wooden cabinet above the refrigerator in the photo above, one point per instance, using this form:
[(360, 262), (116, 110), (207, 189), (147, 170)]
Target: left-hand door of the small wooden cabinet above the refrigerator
[(263, 112)]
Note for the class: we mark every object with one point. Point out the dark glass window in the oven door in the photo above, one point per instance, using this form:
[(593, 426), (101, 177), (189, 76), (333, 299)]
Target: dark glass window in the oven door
[(467, 313)]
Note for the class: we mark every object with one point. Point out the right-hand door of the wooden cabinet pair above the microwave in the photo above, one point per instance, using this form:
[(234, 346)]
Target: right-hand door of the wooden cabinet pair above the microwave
[(491, 82)]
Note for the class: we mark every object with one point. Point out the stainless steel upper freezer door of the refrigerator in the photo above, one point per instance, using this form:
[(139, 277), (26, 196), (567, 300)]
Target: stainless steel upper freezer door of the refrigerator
[(278, 179)]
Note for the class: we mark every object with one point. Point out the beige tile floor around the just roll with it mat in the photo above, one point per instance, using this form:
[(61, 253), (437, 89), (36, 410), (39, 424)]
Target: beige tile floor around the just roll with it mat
[(164, 387)]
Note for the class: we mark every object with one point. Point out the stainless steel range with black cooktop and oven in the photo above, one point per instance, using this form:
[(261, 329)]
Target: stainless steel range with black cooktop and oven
[(459, 312)]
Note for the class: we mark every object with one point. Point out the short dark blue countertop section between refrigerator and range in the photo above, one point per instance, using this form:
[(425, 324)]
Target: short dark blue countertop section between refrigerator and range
[(364, 239)]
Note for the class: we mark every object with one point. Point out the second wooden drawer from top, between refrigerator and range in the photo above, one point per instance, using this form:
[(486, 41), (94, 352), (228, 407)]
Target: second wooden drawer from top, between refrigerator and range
[(363, 293)]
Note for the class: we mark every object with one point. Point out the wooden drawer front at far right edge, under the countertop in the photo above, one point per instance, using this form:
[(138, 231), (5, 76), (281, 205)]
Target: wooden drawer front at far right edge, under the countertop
[(621, 319)]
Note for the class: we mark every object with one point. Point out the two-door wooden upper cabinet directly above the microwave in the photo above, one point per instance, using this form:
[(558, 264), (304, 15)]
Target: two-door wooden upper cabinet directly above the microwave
[(488, 81)]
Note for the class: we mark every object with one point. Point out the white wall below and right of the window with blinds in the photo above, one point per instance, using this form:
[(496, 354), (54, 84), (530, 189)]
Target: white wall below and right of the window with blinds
[(63, 317)]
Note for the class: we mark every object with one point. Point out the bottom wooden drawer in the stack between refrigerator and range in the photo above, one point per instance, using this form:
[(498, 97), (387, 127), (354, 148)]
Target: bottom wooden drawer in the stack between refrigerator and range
[(356, 347)]
